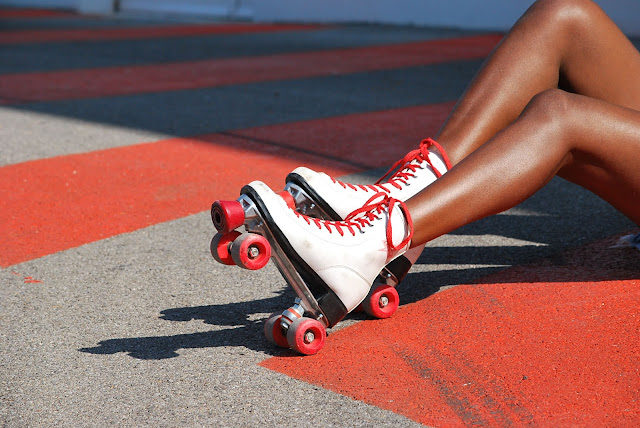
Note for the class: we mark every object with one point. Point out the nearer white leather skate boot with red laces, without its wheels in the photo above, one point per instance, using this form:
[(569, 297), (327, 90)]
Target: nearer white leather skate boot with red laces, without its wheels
[(337, 260)]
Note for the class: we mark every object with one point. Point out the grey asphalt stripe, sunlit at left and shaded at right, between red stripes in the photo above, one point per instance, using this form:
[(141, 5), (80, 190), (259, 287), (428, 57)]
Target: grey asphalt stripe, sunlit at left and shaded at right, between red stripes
[(201, 111)]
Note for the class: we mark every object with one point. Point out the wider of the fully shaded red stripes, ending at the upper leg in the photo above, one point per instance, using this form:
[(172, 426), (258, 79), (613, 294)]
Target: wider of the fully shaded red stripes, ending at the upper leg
[(59, 85)]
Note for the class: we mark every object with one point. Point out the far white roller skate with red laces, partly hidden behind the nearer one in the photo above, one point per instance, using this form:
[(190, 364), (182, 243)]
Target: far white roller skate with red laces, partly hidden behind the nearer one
[(319, 195)]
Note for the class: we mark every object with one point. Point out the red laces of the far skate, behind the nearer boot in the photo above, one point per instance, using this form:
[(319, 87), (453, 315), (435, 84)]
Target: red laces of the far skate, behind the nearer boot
[(411, 162)]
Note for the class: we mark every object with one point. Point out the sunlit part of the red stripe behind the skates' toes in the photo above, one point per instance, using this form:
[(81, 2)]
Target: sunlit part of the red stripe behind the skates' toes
[(55, 204)]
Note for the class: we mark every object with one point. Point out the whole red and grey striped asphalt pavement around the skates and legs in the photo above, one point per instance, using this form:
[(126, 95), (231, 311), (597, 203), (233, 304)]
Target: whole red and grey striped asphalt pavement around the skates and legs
[(113, 312)]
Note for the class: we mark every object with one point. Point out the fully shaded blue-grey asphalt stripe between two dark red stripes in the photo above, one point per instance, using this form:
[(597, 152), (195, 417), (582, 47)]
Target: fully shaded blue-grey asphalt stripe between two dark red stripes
[(52, 56)]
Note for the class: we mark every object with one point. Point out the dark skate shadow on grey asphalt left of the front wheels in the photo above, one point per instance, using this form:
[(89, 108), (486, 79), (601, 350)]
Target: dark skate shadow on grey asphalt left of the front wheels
[(242, 324)]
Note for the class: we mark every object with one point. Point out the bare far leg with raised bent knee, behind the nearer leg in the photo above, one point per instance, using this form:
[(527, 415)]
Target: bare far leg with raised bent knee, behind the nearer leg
[(566, 44)]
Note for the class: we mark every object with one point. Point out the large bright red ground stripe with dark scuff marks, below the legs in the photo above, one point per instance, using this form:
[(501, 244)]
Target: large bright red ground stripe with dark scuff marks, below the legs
[(548, 344)]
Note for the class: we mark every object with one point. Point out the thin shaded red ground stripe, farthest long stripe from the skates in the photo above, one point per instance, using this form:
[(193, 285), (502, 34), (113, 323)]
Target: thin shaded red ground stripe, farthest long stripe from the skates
[(42, 36)]
